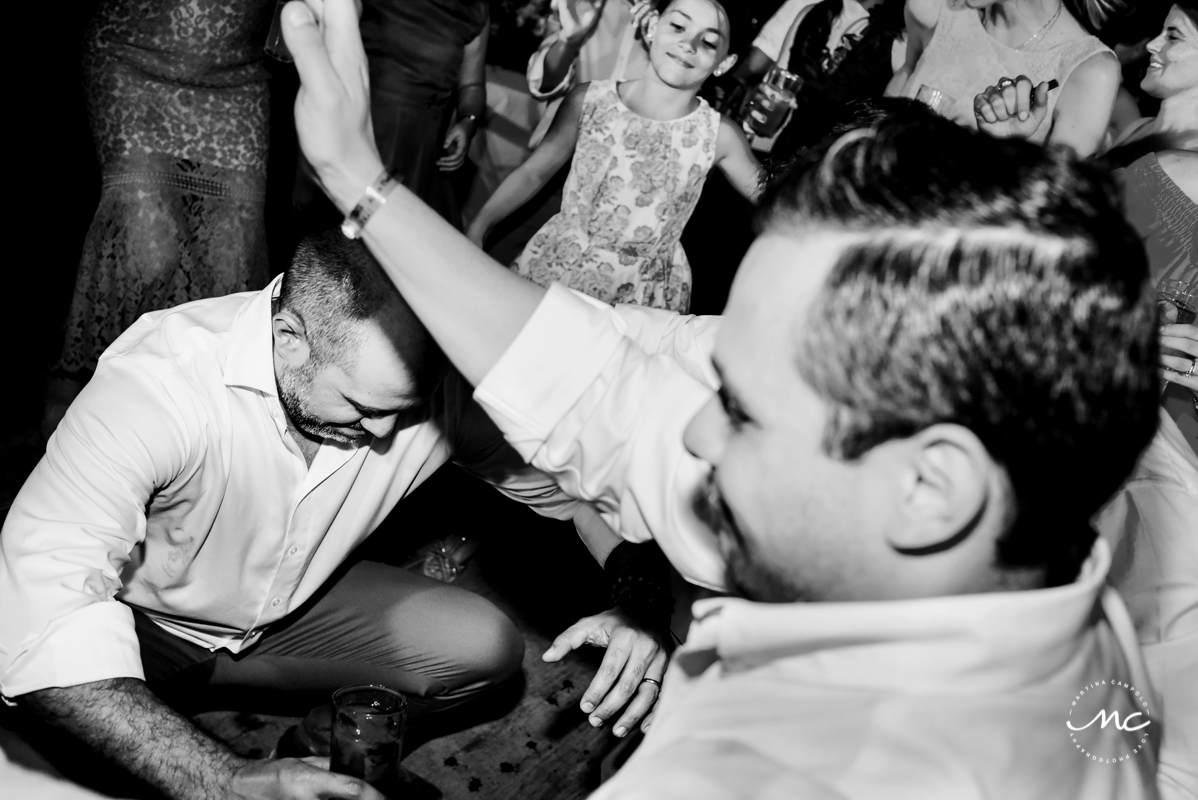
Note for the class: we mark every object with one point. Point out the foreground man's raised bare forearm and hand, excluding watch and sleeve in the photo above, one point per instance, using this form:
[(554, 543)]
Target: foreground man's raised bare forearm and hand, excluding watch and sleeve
[(473, 306)]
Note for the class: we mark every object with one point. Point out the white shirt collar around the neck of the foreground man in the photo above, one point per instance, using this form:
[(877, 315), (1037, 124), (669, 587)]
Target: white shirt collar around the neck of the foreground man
[(976, 643)]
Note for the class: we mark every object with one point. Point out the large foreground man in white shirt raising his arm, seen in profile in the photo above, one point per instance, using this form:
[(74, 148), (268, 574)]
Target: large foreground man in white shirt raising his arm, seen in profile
[(937, 363)]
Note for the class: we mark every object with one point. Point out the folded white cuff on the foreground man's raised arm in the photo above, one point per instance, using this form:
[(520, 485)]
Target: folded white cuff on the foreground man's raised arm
[(549, 367)]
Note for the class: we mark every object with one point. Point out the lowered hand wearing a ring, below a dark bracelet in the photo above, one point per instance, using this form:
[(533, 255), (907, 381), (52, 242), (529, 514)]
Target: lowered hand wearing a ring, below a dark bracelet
[(636, 659)]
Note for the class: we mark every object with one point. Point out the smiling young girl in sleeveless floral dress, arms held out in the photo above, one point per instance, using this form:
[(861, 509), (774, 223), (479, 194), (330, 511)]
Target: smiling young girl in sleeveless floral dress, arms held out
[(642, 153)]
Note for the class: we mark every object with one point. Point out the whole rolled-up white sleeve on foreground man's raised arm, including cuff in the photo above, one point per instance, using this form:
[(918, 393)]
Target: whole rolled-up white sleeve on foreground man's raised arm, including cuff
[(580, 399)]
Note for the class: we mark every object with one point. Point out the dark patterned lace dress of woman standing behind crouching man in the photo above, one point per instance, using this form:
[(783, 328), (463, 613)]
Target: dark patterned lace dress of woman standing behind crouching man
[(178, 101)]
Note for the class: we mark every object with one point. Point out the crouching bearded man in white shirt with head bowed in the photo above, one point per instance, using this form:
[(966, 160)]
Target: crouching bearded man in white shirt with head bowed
[(190, 522)]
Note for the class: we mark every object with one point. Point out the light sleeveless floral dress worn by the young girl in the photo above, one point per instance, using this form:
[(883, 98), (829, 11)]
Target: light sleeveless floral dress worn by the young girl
[(633, 185)]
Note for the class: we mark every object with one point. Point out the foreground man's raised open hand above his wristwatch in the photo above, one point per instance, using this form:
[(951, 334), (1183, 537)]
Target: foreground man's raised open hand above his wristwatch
[(334, 102)]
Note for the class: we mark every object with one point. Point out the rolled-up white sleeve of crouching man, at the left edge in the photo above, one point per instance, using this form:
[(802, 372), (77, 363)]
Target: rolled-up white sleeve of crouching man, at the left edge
[(75, 526)]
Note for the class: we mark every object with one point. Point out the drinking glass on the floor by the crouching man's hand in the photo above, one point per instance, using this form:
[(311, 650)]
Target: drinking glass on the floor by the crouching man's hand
[(368, 732)]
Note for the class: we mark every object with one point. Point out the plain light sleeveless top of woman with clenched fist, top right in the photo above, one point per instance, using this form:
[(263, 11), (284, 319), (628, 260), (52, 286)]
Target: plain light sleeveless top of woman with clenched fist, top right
[(963, 60)]
